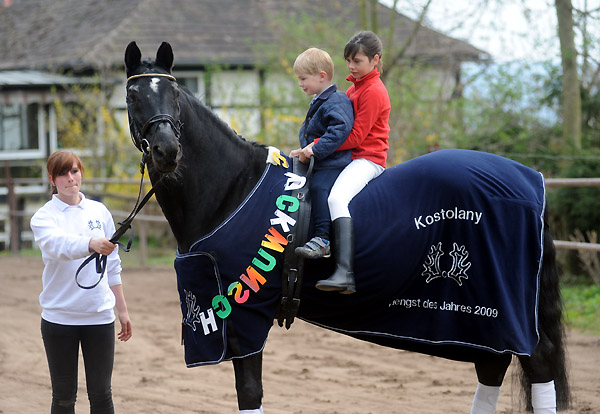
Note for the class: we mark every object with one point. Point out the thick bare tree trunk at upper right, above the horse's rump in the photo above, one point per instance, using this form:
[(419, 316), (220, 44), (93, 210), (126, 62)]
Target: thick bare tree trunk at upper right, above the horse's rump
[(571, 99)]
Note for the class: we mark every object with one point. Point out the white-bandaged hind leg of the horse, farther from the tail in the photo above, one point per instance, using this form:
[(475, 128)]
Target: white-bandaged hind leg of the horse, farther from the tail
[(490, 374)]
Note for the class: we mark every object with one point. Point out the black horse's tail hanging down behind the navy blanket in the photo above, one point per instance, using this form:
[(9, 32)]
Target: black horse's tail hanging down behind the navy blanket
[(550, 351)]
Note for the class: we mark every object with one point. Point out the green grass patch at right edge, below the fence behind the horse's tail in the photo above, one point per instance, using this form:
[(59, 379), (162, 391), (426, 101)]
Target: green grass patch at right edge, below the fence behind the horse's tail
[(582, 307)]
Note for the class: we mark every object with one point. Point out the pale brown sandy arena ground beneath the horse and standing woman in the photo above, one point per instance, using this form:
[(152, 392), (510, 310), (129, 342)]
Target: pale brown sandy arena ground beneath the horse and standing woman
[(303, 369)]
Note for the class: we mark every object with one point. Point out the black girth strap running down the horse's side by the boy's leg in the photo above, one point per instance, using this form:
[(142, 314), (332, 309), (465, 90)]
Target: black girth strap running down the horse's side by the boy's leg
[(293, 264)]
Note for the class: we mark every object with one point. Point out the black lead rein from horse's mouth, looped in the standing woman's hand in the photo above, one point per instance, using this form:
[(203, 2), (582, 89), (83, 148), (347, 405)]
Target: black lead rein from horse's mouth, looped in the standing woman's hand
[(124, 226)]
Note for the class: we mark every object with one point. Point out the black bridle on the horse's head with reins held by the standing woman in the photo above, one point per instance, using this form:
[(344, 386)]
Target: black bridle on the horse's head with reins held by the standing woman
[(142, 144)]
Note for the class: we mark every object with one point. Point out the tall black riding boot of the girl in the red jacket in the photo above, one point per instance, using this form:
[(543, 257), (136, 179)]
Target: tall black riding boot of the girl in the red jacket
[(342, 279)]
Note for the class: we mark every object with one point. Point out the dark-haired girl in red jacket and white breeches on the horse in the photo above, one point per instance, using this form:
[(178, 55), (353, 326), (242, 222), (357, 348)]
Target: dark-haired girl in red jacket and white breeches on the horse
[(369, 143)]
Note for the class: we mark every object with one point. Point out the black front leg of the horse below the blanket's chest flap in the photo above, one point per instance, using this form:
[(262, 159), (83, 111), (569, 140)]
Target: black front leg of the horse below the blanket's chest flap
[(248, 383)]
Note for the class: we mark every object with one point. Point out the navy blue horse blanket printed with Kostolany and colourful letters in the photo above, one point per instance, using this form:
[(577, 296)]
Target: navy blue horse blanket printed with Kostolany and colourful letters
[(448, 252)]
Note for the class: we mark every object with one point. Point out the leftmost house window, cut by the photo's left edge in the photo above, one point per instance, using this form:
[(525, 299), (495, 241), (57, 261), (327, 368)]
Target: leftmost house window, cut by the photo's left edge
[(19, 127)]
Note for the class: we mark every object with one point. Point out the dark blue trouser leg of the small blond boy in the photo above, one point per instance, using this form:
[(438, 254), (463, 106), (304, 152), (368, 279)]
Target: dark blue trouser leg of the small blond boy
[(320, 186)]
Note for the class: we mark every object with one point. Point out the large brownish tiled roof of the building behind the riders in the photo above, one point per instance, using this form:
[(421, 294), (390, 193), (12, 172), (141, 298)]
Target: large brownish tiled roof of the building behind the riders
[(84, 34)]
